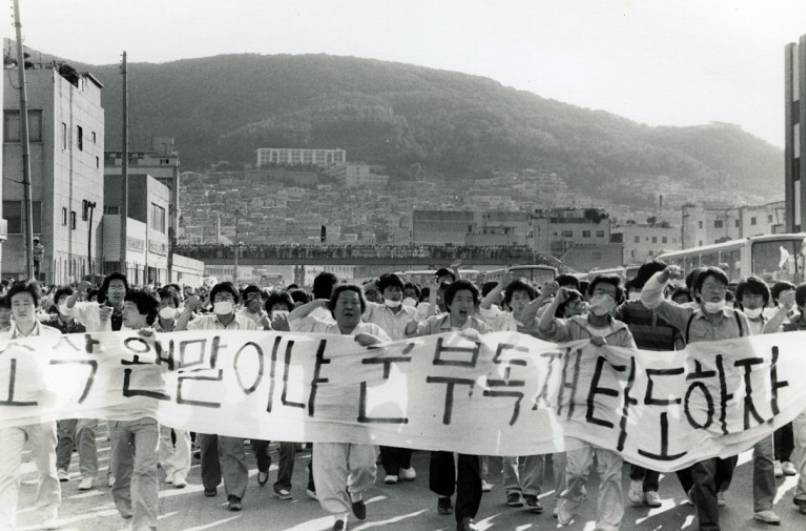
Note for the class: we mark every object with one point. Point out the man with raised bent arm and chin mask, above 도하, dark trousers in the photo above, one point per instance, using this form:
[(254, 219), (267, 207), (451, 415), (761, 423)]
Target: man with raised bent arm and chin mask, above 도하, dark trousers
[(711, 320)]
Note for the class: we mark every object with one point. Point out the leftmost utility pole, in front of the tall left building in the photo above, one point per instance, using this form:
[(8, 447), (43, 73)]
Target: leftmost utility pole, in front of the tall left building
[(28, 207)]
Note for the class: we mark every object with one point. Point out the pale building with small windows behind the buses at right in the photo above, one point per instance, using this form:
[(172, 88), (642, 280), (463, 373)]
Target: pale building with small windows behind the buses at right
[(707, 223)]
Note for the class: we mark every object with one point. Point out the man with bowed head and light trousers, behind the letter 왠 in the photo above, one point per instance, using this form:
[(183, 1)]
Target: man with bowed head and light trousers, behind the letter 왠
[(136, 488)]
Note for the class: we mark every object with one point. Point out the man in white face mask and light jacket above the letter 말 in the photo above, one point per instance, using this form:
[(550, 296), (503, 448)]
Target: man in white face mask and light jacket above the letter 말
[(224, 297)]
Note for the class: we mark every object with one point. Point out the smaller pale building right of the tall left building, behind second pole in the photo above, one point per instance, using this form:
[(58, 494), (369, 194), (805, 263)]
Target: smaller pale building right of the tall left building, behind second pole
[(146, 228)]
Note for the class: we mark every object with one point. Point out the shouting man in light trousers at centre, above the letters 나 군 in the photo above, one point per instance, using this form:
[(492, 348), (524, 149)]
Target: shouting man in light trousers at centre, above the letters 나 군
[(344, 471)]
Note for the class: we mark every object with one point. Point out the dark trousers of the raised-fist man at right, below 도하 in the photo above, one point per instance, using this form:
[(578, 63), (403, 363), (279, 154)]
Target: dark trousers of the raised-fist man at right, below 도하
[(704, 479)]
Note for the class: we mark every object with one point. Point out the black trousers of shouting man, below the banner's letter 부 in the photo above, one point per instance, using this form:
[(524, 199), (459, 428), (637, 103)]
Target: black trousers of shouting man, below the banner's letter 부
[(465, 479)]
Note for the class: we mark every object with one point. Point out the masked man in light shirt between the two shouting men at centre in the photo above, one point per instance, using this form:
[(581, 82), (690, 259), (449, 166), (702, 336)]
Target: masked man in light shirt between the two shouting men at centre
[(392, 317)]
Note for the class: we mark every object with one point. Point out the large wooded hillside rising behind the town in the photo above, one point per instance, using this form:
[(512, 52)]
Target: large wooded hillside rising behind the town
[(405, 117)]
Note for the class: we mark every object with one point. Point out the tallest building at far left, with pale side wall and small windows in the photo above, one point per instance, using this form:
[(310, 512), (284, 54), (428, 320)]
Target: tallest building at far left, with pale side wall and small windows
[(66, 133)]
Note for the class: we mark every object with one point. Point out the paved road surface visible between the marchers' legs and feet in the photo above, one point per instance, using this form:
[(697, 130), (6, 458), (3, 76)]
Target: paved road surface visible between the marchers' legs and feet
[(406, 506)]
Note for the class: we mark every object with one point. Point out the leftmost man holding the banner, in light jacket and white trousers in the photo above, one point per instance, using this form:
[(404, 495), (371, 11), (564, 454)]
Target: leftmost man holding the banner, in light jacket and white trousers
[(41, 437)]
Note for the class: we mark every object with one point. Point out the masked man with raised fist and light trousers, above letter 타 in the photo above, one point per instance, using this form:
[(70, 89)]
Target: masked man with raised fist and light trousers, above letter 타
[(600, 328)]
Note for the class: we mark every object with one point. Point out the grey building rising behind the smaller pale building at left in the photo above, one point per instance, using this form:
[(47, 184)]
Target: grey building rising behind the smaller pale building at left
[(162, 163)]
